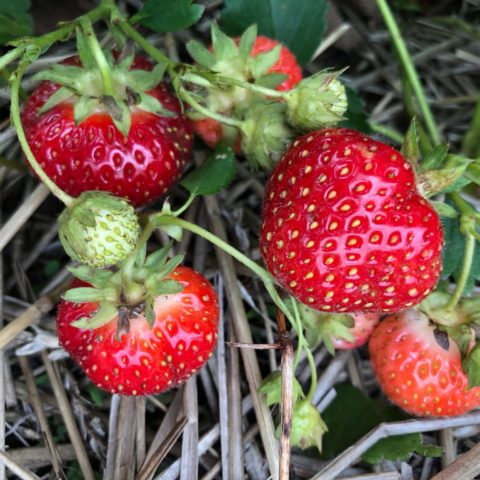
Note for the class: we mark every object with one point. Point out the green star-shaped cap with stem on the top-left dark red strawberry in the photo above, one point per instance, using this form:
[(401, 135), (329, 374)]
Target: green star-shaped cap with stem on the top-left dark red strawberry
[(103, 84)]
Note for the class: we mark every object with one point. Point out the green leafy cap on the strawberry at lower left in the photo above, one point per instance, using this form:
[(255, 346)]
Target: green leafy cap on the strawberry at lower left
[(132, 293)]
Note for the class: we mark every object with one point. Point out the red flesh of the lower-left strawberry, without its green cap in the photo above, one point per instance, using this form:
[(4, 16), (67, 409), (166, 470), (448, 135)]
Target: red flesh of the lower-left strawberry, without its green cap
[(146, 360)]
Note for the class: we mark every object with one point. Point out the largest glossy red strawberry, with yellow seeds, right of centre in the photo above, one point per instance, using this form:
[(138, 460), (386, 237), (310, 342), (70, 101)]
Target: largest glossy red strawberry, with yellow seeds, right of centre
[(344, 228)]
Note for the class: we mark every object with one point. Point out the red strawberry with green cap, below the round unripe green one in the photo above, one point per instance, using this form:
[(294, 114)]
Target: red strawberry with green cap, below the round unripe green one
[(140, 348)]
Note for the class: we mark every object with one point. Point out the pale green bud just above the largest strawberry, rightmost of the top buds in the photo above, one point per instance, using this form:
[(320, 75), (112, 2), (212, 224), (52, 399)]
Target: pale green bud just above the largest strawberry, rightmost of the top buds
[(317, 101)]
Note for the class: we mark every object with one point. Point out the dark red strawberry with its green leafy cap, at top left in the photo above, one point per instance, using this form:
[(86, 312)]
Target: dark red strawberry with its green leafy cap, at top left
[(133, 144)]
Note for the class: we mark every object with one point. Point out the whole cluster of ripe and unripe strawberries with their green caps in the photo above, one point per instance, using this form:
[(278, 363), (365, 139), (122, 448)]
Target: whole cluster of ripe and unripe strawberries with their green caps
[(346, 230)]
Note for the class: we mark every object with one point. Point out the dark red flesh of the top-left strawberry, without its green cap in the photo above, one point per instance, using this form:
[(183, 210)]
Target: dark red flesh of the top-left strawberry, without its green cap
[(95, 155)]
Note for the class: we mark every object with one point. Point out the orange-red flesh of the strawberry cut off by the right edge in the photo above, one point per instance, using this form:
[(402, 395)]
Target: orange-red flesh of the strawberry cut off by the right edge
[(419, 370)]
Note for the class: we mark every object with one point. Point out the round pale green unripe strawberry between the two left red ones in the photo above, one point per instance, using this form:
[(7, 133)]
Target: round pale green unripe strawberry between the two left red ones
[(99, 229)]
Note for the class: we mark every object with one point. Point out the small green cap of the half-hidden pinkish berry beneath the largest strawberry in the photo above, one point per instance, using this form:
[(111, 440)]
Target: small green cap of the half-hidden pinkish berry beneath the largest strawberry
[(325, 327)]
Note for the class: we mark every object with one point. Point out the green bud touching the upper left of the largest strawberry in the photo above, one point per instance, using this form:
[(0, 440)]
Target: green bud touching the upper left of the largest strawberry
[(266, 135)]
